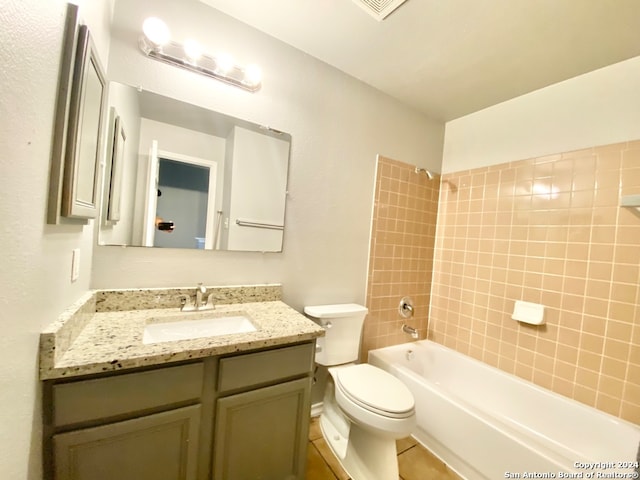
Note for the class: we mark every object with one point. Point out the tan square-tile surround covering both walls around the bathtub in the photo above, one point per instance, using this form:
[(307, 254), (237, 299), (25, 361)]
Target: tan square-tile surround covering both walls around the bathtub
[(546, 230)]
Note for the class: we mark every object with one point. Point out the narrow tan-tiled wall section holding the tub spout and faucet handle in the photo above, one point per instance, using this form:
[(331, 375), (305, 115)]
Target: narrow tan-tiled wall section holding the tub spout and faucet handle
[(401, 252)]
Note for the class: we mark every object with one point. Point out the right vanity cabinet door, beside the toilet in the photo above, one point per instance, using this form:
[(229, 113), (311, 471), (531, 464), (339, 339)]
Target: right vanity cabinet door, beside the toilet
[(262, 434)]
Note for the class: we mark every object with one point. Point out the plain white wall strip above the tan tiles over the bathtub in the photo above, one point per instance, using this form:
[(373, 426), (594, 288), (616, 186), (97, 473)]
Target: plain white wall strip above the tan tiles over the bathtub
[(597, 108)]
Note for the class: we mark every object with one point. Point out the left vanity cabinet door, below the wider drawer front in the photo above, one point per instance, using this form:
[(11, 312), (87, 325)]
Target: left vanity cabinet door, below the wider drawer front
[(162, 446)]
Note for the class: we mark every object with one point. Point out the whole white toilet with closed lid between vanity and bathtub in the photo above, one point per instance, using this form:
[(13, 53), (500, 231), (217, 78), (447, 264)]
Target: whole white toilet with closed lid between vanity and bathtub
[(365, 409)]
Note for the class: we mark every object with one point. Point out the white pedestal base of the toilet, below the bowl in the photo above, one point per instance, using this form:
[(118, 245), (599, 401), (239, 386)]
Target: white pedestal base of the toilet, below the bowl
[(362, 455)]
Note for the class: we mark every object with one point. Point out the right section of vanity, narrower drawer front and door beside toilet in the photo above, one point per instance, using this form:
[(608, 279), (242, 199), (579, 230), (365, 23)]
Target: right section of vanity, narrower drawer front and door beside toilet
[(261, 432)]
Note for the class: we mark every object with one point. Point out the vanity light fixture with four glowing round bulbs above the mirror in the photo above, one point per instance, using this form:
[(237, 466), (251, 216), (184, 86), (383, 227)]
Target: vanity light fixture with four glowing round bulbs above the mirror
[(156, 43)]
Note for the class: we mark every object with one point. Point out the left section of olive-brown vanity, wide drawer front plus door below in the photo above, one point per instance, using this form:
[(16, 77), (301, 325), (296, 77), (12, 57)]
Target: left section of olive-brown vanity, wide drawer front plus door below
[(135, 426)]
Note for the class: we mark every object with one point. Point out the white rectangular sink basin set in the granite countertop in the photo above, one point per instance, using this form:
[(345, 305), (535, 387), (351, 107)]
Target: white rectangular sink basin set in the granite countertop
[(187, 329)]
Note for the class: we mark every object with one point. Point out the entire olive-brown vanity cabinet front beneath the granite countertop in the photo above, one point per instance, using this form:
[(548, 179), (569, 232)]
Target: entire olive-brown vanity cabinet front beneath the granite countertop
[(236, 417)]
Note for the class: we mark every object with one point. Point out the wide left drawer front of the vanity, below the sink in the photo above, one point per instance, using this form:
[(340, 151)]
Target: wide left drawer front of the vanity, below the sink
[(87, 400)]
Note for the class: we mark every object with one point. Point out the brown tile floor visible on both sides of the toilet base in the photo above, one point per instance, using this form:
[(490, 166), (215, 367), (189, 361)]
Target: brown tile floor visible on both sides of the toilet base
[(414, 461)]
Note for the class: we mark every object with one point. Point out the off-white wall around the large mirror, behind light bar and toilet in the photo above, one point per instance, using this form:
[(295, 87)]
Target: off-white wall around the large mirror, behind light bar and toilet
[(338, 125)]
